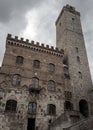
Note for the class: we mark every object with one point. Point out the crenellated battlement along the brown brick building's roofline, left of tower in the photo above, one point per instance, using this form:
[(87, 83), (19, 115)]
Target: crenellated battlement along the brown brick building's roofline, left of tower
[(36, 46)]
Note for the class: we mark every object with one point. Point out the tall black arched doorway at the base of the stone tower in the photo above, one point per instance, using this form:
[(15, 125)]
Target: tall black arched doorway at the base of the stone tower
[(83, 107)]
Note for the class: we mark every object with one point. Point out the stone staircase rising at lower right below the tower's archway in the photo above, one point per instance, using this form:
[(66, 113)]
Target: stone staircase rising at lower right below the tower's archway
[(72, 120)]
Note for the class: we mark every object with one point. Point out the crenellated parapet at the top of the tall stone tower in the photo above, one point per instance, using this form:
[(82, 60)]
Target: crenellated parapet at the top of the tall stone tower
[(69, 9)]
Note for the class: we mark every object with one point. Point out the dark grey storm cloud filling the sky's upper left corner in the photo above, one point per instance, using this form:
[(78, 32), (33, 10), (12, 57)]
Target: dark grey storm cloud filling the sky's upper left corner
[(10, 7)]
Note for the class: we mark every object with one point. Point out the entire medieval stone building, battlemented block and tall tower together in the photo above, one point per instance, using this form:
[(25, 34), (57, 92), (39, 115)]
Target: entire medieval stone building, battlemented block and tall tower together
[(43, 87)]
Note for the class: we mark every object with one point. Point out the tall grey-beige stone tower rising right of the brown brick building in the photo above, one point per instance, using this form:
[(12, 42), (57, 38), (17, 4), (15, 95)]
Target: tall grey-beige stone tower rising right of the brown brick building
[(69, 36)]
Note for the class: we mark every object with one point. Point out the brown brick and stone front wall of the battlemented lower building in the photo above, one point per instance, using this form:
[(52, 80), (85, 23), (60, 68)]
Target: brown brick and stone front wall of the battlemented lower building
[(22, 92)]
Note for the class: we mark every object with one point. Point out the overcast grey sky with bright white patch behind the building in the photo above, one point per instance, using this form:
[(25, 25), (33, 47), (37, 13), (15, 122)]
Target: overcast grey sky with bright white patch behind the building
[(35, 20)]
